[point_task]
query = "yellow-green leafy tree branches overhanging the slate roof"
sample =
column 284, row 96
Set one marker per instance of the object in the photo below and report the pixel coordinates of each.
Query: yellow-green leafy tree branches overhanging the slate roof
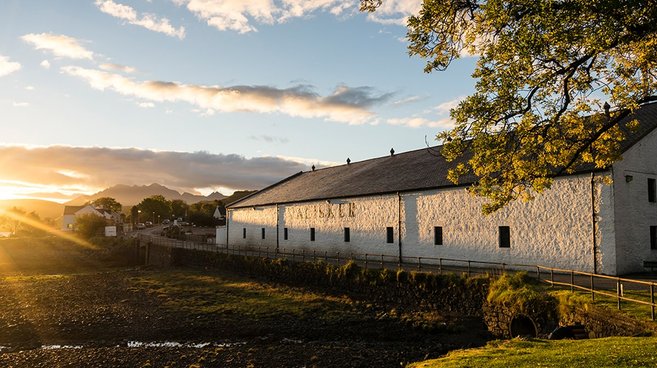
column 554, row 79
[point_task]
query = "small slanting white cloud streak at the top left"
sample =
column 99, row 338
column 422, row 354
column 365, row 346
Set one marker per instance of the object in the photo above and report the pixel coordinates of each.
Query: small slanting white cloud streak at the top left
column 148, row 21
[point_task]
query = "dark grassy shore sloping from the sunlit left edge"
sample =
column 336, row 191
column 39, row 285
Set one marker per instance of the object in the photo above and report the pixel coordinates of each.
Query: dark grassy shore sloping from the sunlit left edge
column 53, row 293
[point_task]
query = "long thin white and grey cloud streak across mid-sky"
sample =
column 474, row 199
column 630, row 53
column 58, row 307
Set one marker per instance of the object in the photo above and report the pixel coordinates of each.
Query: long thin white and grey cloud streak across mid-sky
column 345, row 104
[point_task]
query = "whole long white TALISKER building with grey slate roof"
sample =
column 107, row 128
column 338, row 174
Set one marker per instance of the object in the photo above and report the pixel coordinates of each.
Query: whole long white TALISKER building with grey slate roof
column 403, row 205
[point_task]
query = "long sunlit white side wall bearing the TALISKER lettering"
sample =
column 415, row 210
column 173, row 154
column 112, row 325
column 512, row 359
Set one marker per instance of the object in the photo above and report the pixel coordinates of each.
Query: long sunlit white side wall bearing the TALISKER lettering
column 553, row 230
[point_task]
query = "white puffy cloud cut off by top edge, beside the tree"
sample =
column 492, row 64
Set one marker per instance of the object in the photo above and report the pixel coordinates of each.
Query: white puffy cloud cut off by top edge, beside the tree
column 240, row 15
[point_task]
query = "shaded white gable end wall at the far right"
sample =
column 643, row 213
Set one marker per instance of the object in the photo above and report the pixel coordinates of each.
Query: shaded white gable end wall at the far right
column 634, row 214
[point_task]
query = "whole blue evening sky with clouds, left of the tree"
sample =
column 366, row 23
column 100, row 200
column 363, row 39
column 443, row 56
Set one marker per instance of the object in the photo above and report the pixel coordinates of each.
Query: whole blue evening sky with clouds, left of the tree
column 207, row 95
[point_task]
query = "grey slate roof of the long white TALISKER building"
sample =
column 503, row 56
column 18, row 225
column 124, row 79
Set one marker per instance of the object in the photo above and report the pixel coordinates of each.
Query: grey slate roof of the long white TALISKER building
column 409, row 171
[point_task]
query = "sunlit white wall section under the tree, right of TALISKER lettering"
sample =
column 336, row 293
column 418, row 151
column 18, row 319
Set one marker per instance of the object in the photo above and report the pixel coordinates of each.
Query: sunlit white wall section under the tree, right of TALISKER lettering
column 555, row 229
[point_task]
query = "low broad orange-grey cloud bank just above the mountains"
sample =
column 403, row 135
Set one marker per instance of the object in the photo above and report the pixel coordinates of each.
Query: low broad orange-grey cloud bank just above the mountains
column 77, row 168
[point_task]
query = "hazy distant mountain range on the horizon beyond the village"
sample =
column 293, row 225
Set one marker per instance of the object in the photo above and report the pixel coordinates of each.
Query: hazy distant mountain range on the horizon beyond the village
column 130, row 195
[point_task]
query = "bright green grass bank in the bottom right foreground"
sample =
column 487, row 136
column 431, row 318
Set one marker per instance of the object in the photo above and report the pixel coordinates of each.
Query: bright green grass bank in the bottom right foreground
column 594, row 353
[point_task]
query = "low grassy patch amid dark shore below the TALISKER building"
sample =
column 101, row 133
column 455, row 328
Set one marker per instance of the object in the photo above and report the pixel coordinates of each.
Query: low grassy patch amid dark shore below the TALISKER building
column 198, row 292
